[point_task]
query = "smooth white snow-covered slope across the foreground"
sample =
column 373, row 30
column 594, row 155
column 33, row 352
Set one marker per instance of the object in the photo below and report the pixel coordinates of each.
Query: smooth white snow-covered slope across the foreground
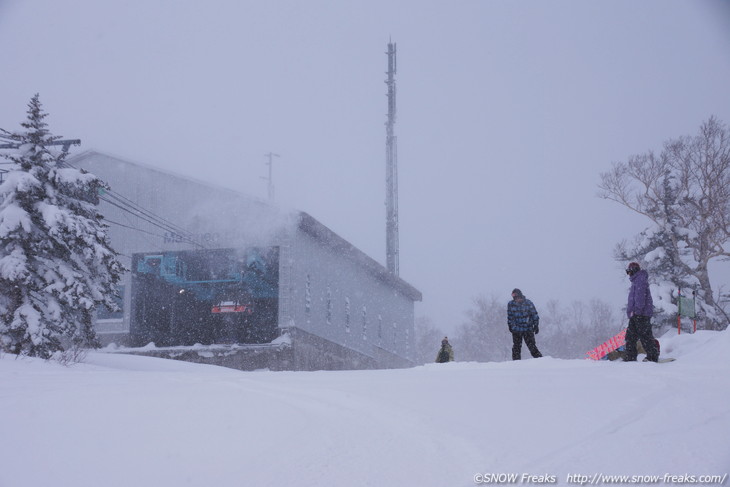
column 119, row 420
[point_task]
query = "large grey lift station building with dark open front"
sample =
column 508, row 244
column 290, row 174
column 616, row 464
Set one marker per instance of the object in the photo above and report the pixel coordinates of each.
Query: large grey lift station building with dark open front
column 220, row 277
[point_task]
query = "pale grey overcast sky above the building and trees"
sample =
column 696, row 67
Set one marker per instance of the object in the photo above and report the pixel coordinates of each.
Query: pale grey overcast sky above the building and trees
column 508, row 111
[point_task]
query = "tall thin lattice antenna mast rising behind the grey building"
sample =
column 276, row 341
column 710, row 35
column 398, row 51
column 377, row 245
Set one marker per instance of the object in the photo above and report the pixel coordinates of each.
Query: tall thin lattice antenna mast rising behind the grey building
column 391, row 171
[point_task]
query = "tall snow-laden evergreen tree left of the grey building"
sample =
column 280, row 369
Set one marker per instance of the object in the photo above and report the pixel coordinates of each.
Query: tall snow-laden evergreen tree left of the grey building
column 56, row 264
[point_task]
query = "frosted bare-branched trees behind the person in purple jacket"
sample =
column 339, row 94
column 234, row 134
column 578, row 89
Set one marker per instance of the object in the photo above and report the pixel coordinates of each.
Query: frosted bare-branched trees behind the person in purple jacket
column 685, row 192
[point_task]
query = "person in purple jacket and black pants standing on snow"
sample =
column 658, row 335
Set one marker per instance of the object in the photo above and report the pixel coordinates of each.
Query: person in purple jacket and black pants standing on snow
column 639, row 309
